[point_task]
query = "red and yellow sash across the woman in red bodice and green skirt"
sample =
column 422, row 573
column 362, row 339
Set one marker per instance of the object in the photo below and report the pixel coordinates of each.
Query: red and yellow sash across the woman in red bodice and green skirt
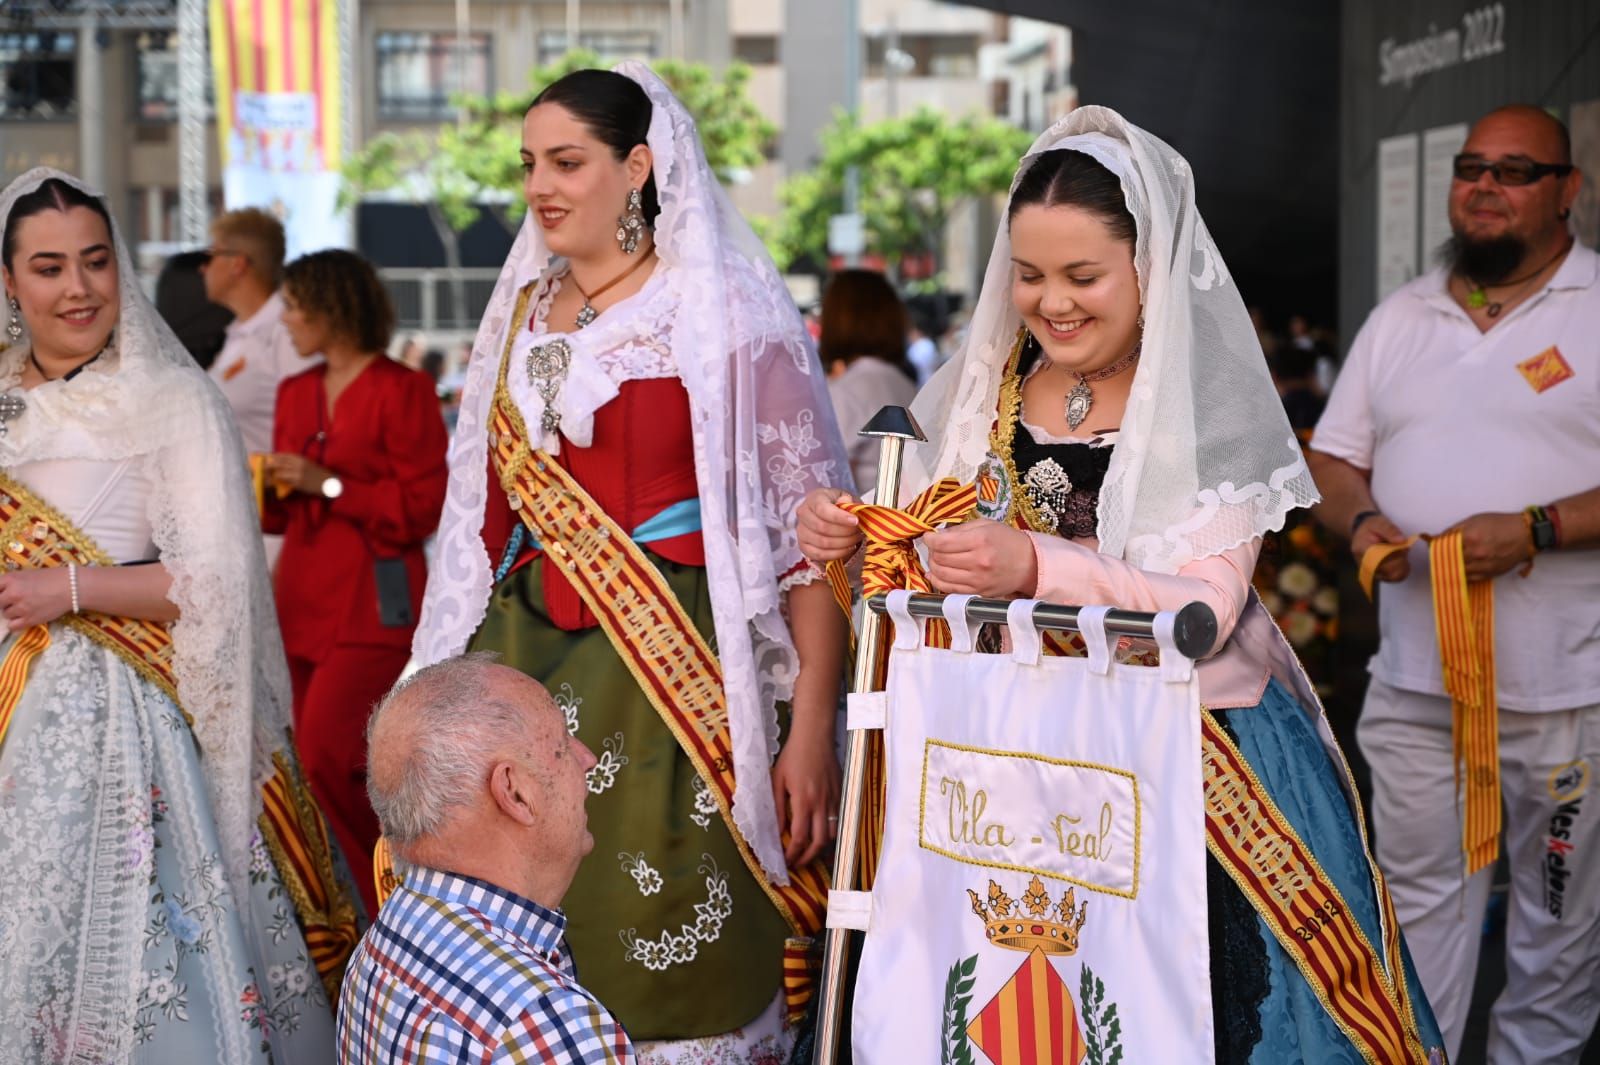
column 654, row 636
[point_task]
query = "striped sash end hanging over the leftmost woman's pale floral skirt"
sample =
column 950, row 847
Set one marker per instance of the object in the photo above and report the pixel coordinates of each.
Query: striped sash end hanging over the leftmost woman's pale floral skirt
column 298, row 840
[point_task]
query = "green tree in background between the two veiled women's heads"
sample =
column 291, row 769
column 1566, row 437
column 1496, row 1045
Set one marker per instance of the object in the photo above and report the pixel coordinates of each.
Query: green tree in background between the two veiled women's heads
column 914, row 172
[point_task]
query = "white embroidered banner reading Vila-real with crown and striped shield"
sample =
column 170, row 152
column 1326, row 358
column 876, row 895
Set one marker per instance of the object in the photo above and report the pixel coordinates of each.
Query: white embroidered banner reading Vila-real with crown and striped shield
column 1042, row 890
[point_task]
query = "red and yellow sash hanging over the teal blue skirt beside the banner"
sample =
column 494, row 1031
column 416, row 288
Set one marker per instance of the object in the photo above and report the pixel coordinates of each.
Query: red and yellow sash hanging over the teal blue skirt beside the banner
column 1247, row 834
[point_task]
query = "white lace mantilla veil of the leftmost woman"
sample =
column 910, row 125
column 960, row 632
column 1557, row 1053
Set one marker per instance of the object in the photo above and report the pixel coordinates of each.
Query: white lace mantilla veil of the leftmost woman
column 148, row 397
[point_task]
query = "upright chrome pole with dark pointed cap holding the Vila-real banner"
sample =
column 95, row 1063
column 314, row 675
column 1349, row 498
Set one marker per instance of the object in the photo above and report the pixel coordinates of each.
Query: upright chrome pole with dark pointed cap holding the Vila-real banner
column 894, row 426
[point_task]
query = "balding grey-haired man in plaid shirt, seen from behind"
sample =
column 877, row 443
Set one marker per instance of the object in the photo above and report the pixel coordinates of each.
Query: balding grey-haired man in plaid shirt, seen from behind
column 481, row 792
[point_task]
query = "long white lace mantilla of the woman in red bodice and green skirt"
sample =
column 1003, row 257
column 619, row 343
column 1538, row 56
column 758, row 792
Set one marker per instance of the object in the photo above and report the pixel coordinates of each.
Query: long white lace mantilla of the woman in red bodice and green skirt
column 764, row 437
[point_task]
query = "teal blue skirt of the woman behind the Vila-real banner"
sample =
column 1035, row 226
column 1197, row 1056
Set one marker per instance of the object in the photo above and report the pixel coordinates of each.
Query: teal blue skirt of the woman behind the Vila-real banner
column 1265, row 1010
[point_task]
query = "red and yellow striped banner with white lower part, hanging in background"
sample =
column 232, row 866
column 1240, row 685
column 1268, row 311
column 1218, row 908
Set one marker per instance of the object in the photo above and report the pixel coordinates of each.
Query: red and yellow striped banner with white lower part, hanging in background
column 281, row 113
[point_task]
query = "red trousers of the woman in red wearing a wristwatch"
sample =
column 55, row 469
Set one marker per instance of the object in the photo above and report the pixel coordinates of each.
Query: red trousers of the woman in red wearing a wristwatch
column 332, row 703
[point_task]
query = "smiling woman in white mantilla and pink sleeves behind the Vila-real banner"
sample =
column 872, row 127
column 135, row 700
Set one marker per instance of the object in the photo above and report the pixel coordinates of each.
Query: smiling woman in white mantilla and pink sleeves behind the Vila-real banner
column 1114, row 412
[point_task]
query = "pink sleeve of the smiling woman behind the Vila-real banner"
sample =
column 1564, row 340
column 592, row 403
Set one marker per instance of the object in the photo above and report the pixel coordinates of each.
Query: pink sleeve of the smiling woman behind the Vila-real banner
column 1073, row 573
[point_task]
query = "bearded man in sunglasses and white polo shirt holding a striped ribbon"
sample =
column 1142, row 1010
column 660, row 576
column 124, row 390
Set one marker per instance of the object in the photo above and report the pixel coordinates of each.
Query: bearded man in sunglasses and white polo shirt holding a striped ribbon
column 1471, row 402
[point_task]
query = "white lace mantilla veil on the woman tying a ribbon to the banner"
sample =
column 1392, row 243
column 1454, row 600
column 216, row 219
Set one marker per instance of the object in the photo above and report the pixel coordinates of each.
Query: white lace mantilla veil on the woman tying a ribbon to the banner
column 1206, row 460
